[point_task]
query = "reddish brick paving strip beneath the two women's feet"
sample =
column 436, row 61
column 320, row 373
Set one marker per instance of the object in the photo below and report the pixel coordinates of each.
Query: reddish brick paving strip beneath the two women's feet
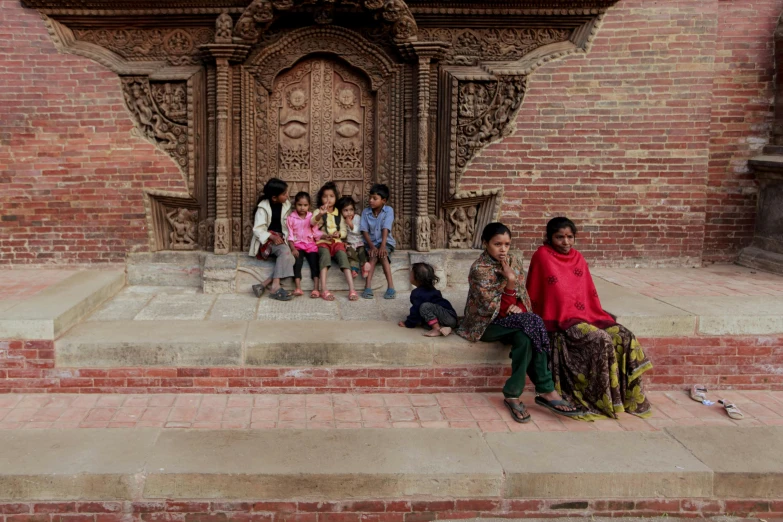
column 324, row 411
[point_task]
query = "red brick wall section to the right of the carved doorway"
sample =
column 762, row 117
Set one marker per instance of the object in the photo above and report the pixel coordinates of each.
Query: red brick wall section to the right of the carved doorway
column 643, row 141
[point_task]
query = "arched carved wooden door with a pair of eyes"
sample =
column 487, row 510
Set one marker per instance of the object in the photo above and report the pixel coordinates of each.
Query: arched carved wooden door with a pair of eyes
column 322, row 115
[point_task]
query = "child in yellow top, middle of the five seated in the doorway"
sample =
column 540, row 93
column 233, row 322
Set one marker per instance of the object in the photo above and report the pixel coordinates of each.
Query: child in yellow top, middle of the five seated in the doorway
column 330, row 245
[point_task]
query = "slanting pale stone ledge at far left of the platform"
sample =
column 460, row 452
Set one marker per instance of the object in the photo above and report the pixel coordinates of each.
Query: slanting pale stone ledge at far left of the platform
column 52, row 311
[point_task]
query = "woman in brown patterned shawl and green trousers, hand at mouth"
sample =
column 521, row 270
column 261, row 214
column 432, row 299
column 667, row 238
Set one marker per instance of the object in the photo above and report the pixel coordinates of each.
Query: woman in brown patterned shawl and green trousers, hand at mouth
column 498, row 309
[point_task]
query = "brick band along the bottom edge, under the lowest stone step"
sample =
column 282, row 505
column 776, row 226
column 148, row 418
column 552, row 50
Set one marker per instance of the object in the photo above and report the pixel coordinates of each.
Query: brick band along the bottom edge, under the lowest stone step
column 383, row 510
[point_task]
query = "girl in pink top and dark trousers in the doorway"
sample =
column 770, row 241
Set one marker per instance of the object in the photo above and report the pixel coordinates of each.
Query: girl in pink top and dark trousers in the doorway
column 302, row 236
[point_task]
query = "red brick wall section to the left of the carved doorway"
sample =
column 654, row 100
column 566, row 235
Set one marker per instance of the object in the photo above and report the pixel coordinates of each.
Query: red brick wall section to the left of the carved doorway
column 71, row 173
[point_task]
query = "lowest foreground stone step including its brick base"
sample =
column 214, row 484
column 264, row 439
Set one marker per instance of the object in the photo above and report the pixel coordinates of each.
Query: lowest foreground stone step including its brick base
column 399, row 474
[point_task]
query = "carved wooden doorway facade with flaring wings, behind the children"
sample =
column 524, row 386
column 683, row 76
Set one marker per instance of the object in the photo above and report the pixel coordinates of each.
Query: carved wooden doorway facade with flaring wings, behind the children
column 351, row 91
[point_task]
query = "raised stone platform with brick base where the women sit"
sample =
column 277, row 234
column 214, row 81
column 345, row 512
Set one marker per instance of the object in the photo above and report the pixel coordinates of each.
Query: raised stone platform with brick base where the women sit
column 721, row 326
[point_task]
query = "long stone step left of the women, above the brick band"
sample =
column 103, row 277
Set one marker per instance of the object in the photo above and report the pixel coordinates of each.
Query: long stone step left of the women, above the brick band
column 112, row 344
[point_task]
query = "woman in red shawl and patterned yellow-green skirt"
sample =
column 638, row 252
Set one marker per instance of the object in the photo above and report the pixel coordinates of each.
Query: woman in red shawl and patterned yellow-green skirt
column 596, row 362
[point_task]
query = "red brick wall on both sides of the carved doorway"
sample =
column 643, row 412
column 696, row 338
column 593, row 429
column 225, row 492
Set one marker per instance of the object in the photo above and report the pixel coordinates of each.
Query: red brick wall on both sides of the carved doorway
column 643, row 141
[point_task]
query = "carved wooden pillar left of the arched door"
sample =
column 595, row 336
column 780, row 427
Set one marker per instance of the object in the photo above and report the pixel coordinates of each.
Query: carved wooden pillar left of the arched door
column 223, row 53
